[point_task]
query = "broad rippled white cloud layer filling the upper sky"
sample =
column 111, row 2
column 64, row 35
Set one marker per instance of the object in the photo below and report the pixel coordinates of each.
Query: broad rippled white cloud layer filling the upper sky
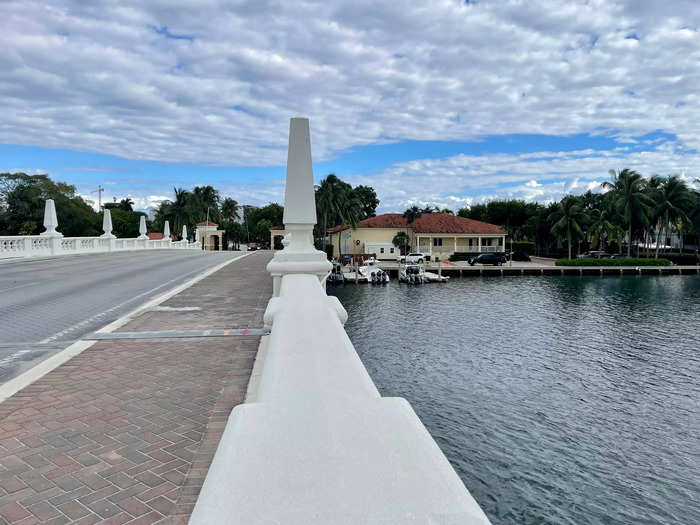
column 215, row 81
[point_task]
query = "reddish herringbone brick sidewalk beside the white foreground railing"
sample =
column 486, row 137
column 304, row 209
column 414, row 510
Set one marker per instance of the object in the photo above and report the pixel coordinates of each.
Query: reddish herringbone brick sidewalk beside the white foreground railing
column 125, row 431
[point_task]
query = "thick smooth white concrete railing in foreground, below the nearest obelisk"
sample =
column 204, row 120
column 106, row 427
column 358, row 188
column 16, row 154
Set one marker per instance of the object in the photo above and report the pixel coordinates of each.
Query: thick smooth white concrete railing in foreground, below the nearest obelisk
column 320, row 445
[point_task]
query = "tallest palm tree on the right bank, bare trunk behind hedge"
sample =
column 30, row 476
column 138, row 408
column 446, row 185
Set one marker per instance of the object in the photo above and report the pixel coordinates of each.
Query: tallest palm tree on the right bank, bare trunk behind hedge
column 631, row 202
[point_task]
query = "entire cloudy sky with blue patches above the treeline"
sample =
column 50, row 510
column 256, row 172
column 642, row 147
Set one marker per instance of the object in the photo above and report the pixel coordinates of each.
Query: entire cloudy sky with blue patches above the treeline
column 429, row 101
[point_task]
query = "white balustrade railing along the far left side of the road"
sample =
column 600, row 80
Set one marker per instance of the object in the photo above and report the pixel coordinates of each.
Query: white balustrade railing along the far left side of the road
column 40, row 245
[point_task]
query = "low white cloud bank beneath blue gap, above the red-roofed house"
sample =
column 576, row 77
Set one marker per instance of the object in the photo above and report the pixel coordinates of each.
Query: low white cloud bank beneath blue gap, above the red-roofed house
column 463, row 179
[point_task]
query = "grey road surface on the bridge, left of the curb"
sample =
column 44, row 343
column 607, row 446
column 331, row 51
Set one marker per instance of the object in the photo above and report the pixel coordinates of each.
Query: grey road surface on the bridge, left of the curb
column 46, row 304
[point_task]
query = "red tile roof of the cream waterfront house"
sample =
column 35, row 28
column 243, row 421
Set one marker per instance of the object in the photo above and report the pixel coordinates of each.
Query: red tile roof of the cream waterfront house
column 429, row 223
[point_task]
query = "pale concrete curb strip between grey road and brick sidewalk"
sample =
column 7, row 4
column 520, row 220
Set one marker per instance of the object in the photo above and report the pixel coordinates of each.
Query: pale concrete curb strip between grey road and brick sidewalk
column 25, row 379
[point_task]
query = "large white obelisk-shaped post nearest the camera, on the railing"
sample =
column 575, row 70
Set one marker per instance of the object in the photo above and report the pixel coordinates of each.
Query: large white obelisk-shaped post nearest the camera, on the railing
column 299, row 256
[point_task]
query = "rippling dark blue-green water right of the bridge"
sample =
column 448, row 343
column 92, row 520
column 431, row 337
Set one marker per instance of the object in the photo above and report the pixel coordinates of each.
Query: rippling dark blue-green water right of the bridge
column 557, row 399
